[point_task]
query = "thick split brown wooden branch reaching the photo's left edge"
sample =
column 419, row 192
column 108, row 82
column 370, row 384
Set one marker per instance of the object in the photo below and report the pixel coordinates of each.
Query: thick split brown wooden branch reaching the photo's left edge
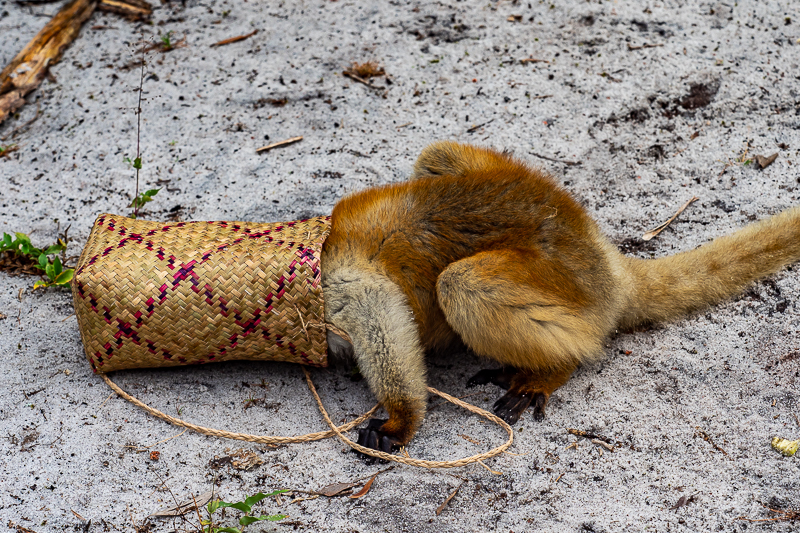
column 29, row 67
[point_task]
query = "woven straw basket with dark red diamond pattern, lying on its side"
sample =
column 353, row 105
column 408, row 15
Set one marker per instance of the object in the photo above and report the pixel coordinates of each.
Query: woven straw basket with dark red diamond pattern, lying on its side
column 151, row 294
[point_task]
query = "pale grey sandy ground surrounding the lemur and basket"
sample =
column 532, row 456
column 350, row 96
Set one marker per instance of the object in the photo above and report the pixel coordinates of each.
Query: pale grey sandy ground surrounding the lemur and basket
column 656, row 102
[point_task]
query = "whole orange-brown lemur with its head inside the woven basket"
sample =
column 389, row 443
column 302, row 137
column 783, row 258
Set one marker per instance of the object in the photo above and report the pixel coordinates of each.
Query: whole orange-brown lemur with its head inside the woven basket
column 480, row 248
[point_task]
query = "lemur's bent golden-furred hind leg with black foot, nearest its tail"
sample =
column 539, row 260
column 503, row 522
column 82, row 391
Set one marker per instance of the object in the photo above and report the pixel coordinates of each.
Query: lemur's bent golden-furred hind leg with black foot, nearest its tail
column 497, row 304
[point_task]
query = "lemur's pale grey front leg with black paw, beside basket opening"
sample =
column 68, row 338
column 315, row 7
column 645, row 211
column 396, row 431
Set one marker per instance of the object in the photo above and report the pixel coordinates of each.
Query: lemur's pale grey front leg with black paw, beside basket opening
column 375, row 313
